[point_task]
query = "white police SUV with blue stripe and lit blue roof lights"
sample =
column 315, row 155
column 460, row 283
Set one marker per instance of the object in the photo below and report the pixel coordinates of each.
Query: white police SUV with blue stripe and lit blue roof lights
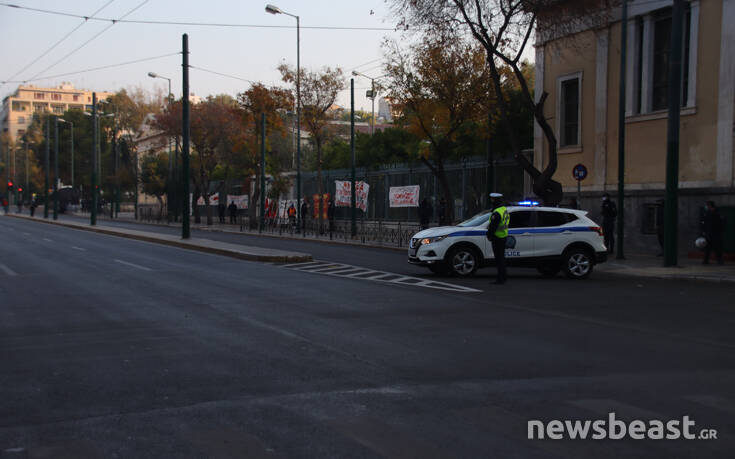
column 550, row 239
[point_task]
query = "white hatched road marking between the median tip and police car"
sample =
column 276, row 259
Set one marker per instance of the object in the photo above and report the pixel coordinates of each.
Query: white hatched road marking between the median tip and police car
column 356, row 272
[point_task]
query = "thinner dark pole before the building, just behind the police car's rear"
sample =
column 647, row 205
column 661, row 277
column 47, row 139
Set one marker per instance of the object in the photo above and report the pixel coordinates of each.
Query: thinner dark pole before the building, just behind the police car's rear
column 621, row 132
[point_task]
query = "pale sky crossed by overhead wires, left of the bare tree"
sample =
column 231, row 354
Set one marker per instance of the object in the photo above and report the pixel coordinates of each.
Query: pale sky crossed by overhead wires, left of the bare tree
column 251, row 53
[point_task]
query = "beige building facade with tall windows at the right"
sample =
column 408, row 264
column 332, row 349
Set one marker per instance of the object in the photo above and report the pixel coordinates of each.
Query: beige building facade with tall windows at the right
column 580, row 71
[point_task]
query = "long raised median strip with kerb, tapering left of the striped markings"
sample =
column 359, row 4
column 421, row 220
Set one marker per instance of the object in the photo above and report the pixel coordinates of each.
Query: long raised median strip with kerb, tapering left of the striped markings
column 232, row 253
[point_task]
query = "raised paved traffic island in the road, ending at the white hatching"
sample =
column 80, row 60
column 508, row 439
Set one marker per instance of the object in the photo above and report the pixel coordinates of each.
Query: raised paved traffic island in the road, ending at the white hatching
column 242, row 252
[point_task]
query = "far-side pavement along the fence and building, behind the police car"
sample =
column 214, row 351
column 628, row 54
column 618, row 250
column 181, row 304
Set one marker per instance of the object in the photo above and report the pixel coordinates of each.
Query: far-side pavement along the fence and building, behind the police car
column 635, row 265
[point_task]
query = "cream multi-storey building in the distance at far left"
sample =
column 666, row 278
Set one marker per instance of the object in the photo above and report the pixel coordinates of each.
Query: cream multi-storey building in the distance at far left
column 18, row 108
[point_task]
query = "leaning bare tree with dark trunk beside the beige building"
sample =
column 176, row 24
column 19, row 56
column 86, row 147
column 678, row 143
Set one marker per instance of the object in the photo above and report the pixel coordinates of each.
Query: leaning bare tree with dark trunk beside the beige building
column 505, row 28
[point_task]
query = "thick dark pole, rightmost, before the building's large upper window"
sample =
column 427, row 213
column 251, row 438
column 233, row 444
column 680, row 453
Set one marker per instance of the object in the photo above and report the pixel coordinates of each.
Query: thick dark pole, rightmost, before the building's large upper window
column 672, row 138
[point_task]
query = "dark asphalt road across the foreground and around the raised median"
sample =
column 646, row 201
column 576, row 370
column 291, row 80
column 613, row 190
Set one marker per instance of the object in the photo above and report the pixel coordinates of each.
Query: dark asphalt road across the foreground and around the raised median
column 117, row 348
